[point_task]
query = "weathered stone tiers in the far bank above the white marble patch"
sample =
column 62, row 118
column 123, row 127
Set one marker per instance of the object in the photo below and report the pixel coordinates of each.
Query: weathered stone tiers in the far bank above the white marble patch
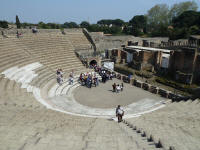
column 53, row 50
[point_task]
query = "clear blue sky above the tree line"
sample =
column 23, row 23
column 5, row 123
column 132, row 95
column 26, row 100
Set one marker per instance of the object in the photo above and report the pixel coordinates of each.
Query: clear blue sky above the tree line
column 60, row 11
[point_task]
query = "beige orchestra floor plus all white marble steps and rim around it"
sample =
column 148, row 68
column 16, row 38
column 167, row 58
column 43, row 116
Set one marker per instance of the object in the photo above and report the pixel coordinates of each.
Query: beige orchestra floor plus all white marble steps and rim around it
column 79, row 100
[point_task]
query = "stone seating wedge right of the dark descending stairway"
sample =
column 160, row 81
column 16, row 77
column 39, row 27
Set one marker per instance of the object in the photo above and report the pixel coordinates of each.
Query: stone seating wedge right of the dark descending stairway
column 176, row 125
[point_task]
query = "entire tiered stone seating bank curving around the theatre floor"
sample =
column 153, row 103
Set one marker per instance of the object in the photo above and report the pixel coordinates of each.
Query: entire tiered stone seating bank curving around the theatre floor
column 27, row 77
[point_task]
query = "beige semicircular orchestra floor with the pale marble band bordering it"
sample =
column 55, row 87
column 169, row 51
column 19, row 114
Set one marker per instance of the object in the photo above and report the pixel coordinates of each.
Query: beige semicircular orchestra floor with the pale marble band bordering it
column 101, row 102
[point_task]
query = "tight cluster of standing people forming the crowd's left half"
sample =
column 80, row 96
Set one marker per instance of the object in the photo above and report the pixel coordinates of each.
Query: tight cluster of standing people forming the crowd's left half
column 89, row 79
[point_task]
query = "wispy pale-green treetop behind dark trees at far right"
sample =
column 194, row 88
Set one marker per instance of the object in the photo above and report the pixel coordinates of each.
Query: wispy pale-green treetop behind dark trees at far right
column 179, row 8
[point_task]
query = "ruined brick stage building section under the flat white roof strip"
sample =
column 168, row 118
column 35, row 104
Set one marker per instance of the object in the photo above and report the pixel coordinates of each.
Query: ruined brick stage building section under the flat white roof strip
column 146, row 58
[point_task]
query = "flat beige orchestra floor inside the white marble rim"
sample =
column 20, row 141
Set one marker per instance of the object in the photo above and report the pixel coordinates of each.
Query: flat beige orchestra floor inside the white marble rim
column 103, row 97
